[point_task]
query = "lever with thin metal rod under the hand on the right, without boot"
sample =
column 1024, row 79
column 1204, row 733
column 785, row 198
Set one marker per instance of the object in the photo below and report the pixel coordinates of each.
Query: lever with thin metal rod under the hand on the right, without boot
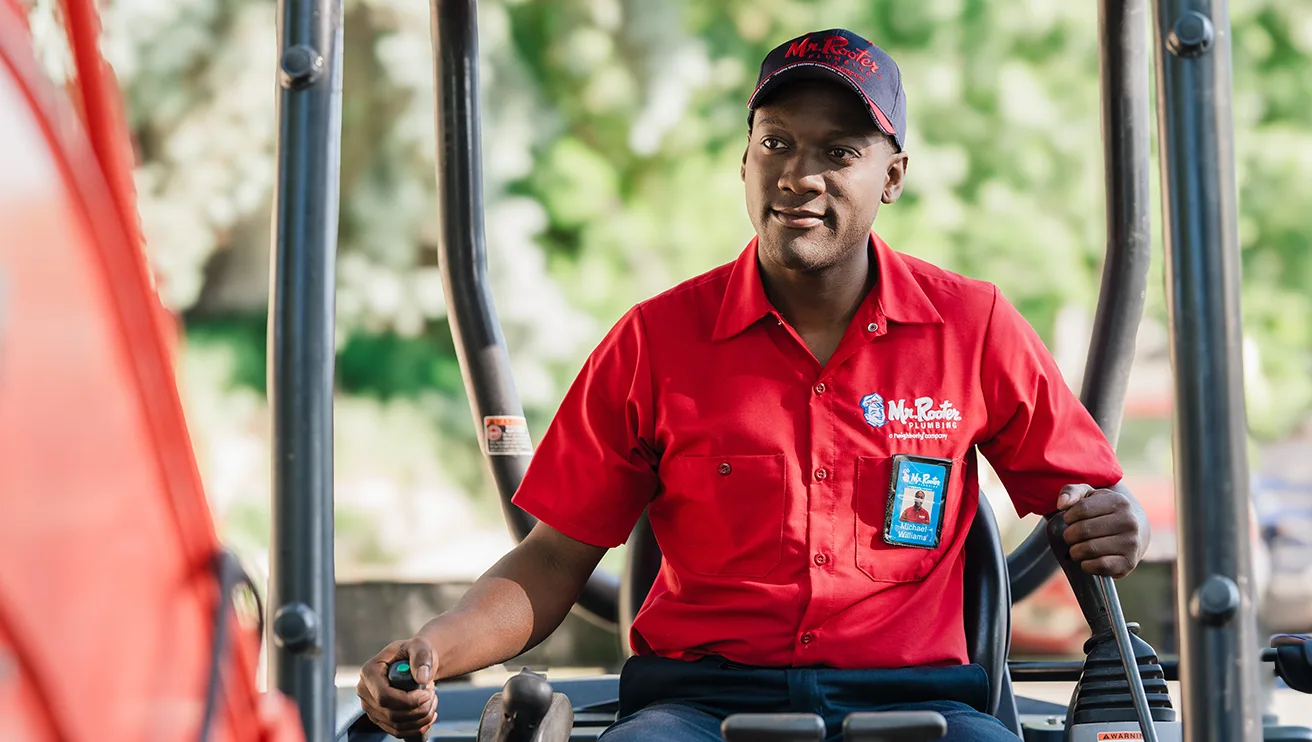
column 1101, row 606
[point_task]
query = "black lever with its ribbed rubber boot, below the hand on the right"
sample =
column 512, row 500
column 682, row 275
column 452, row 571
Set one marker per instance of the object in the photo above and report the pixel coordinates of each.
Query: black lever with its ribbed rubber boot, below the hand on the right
column 1122, row 682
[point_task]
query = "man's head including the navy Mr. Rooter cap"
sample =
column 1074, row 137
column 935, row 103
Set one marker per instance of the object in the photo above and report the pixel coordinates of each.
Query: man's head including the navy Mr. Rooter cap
column 826, row 137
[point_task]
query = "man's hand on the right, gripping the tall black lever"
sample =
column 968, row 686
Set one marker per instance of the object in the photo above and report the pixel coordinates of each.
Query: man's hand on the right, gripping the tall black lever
column 1107, row 529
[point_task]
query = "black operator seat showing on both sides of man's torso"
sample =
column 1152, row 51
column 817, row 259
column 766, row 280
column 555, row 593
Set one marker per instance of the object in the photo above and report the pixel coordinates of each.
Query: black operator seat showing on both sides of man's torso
column 987, row 605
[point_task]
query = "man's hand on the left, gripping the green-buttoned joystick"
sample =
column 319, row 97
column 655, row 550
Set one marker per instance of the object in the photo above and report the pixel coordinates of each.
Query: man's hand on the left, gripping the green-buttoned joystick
column 406, row 715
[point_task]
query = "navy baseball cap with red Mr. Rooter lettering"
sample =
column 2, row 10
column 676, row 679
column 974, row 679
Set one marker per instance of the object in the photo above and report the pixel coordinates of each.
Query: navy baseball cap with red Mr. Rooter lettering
column 839, row 54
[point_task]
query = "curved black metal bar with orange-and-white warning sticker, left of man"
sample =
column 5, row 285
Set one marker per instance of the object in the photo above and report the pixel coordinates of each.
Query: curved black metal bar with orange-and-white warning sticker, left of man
column 462, row 259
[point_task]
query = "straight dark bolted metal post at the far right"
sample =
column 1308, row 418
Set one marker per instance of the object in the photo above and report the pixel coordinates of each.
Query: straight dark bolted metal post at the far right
column 1220, row 661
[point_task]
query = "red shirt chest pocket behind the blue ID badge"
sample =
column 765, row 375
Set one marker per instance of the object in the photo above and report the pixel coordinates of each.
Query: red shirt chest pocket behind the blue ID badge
column 882, row 562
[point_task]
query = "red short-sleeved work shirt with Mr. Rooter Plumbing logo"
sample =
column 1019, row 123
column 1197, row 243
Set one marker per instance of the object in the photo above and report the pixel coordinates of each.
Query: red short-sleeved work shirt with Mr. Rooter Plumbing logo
column 767, row 475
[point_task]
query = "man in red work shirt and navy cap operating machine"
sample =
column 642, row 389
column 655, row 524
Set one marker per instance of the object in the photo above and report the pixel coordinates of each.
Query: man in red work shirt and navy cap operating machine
column 760, row 412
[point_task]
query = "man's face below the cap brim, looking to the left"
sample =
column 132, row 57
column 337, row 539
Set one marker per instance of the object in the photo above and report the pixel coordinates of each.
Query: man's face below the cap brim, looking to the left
column 817, row 171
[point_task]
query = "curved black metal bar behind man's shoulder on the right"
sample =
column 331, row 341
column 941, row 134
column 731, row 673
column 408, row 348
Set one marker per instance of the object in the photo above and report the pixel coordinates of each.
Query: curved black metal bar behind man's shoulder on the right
column 1126, row 133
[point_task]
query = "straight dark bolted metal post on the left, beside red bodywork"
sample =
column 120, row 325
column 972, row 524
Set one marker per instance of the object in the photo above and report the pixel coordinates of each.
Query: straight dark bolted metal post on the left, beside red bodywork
column 301, row 339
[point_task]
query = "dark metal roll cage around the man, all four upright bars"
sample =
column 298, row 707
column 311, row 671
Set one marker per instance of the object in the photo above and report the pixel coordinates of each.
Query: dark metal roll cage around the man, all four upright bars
column 1214, row 580
